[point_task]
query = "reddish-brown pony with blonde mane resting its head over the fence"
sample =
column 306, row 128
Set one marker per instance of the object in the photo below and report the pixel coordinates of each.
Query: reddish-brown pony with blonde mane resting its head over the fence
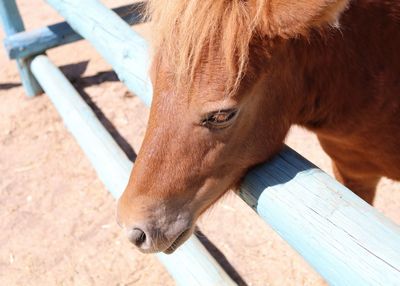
column 231, row 76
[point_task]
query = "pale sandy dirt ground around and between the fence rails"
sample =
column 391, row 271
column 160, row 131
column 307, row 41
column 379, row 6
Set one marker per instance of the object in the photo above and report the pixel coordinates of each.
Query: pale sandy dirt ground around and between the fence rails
column 56, row 218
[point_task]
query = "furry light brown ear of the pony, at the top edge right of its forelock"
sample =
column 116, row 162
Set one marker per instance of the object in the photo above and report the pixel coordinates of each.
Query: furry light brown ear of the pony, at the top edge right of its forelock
column 288, row 18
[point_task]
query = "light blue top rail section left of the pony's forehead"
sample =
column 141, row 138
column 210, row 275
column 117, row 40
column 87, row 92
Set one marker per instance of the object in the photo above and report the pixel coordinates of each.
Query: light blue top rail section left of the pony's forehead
column 118, row 44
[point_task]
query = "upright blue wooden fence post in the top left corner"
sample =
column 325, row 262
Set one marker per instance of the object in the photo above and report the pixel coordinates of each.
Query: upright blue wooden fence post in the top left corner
column 12, row 24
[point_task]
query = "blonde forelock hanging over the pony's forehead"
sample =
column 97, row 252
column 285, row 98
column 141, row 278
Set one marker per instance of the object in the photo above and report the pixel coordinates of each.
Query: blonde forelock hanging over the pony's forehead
column 185, row 31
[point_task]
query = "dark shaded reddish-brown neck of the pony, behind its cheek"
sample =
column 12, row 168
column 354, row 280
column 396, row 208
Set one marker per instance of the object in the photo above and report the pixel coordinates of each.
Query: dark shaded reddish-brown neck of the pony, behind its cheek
column 341, row 78
